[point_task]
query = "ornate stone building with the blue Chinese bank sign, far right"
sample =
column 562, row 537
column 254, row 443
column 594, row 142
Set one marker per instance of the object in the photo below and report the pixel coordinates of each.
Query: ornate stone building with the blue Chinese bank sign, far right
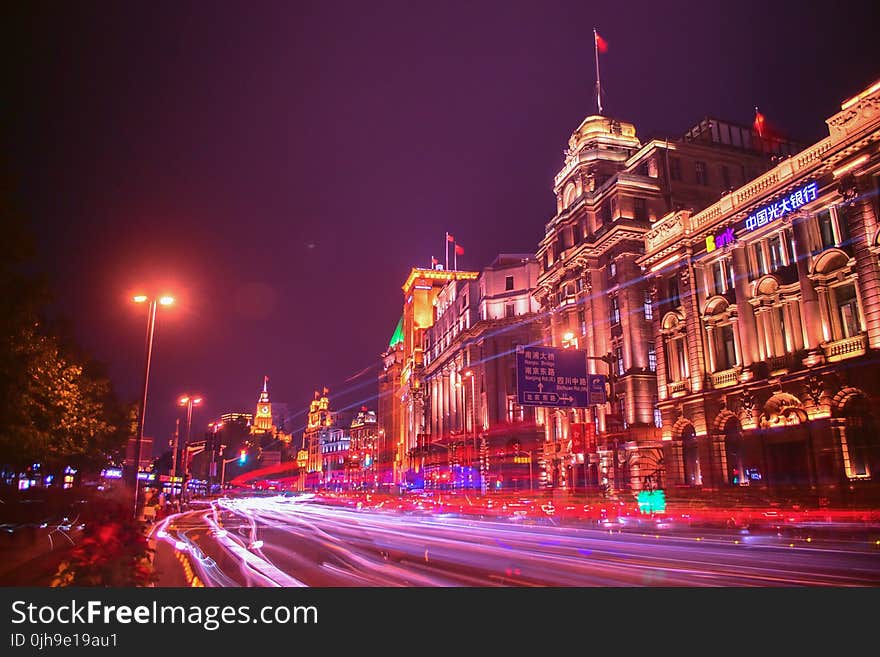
column 767, row 322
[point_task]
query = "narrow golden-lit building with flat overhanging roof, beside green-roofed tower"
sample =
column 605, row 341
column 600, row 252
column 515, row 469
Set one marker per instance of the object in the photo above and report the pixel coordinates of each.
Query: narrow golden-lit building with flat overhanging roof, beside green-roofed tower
column 419, row 292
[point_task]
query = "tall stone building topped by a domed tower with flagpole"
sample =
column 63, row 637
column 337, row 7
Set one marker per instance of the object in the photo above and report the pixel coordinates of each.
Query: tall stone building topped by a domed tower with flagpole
column 610, row 192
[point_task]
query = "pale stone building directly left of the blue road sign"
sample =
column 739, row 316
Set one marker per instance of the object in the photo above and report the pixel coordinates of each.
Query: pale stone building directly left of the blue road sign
column 474, row 425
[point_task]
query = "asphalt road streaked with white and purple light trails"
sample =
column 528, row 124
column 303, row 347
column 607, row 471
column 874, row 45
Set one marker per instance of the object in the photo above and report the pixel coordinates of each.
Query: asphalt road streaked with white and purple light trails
column 291, row 542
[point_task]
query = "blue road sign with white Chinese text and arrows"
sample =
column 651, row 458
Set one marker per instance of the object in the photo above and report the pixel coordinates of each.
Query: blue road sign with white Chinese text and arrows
column 548, row 376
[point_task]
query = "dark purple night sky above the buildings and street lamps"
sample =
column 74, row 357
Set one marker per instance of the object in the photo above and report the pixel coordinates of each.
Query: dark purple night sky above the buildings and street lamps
column 279, row 167
